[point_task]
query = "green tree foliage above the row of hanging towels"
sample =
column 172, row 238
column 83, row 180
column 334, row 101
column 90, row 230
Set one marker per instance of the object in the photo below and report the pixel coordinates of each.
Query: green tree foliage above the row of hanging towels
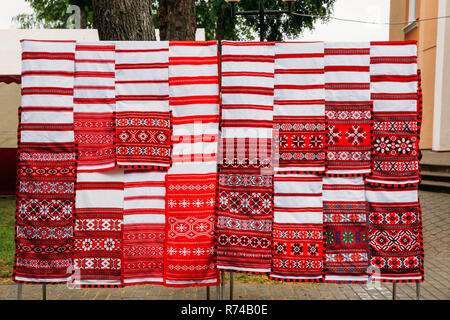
column 213, row 15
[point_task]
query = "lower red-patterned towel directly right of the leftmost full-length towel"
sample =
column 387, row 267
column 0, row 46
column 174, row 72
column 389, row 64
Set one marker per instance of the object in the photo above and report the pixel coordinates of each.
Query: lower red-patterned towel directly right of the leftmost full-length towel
column 98, row 226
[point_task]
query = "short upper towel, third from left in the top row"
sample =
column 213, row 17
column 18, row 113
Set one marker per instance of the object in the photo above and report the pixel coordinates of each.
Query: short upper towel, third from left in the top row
column 143, row 115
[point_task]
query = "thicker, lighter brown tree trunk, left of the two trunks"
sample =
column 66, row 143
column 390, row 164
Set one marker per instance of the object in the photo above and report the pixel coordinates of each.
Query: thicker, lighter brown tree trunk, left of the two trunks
column 124, row 19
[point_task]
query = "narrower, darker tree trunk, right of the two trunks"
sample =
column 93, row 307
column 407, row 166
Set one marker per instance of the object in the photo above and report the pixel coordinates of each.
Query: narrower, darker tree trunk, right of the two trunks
column 176, row 19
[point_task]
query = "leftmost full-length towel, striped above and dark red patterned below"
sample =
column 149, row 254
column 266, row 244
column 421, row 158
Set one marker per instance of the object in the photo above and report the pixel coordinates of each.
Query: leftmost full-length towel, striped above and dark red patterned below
column 46, row 163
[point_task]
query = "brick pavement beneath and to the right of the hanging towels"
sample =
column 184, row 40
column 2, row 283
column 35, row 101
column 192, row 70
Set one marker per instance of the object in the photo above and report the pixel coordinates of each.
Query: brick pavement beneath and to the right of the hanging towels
column 436, row 219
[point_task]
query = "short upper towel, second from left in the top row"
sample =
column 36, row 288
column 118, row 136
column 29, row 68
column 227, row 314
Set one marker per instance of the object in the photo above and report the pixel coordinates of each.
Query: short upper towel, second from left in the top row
column 94, row 105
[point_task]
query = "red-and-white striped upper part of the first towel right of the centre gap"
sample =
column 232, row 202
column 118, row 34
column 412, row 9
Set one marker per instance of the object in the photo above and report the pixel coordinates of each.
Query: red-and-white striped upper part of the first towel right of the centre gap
column 247, row 89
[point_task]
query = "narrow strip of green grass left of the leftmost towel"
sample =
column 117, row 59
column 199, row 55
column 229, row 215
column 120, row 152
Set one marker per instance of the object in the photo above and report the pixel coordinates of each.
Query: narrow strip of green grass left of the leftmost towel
column 7, row 213
